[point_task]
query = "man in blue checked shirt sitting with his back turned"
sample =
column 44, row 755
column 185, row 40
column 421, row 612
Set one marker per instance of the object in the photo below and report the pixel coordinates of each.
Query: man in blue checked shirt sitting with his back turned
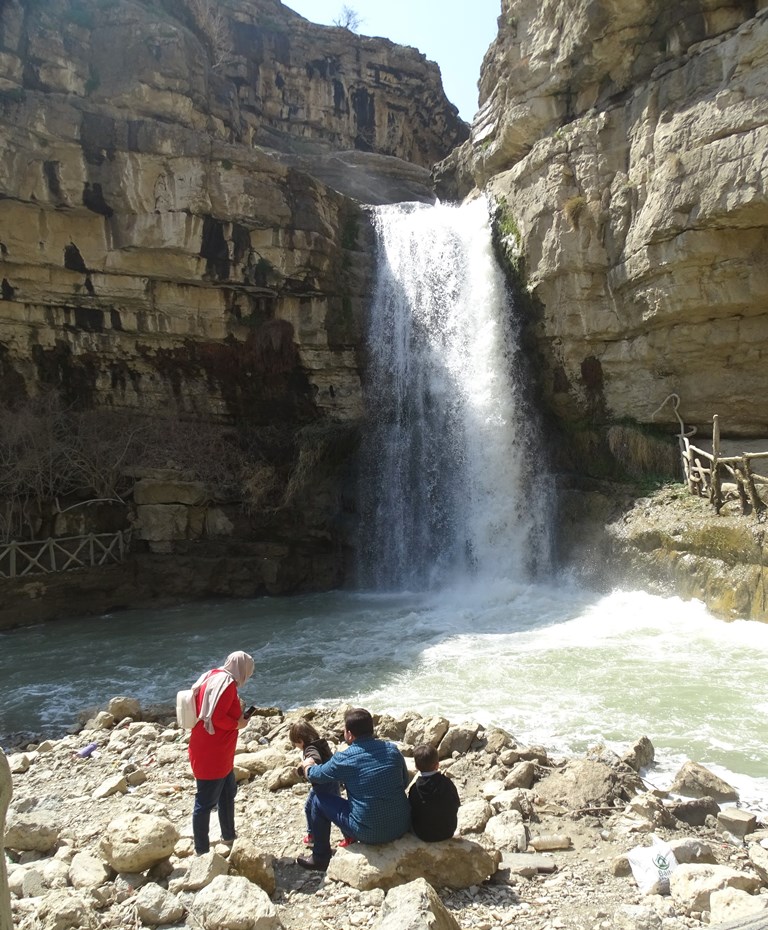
column 374, row 772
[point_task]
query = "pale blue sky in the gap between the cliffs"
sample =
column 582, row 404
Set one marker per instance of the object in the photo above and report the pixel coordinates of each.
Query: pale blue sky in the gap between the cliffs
column 454, row 33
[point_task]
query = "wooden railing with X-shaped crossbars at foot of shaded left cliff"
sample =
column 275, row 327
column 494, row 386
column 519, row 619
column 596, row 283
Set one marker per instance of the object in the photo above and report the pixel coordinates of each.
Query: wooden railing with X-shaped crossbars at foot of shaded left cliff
column 62, row 554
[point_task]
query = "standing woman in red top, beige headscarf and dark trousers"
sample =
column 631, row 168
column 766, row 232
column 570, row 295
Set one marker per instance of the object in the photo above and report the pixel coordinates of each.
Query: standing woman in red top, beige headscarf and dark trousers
column 212, row 746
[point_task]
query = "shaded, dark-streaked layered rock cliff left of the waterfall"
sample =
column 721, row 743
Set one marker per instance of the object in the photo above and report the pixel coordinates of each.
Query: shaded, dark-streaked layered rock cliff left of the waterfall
column 181, row 240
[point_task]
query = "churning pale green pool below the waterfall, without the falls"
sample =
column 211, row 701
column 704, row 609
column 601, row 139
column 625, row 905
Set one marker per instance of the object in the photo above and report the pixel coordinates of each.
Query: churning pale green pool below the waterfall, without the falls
column 556, row 665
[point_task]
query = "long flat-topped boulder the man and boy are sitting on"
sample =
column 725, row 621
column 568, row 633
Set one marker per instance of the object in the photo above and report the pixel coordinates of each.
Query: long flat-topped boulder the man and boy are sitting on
column 454, row 863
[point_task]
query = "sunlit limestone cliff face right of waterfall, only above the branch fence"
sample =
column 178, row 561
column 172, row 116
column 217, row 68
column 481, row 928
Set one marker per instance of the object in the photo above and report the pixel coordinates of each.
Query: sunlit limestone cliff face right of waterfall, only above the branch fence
column 627, row 140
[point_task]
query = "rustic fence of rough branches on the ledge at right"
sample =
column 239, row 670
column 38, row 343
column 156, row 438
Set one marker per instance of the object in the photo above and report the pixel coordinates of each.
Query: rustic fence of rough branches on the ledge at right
column 723, row 478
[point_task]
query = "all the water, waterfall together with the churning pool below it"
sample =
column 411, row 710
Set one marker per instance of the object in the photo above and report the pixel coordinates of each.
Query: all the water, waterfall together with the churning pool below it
column 460, row 611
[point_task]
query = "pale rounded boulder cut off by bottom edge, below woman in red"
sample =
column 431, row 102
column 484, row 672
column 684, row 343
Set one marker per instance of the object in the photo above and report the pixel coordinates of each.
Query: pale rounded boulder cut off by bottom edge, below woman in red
column 231, row 902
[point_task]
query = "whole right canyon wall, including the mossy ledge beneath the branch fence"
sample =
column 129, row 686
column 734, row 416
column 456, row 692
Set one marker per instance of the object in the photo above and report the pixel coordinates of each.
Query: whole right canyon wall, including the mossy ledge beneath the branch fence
column 625, row 145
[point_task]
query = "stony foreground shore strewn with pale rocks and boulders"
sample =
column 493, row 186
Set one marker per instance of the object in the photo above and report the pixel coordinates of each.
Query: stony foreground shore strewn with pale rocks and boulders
column 99, row 836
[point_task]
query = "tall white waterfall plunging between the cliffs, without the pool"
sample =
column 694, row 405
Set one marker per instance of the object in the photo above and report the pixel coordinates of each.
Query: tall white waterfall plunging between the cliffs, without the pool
column 449, row 487
